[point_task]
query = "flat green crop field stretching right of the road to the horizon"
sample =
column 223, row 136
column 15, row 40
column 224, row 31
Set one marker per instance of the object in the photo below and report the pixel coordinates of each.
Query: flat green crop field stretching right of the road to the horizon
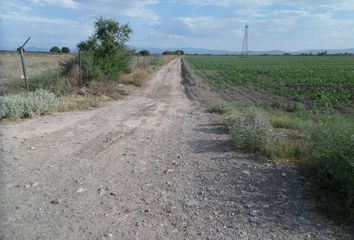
column 325, row 80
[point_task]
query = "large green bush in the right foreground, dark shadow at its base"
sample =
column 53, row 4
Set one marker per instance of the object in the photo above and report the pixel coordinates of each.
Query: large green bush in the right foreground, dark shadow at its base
column 331, row 162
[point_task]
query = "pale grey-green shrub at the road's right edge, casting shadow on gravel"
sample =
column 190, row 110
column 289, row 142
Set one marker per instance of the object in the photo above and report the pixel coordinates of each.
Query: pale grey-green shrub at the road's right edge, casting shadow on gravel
column 251, row 131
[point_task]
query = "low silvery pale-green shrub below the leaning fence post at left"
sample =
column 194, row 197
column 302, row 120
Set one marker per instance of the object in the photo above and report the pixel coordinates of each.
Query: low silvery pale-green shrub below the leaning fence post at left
column 29, row 105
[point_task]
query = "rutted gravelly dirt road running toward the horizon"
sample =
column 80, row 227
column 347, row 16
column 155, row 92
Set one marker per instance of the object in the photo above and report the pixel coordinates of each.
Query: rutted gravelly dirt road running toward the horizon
column 151, row 166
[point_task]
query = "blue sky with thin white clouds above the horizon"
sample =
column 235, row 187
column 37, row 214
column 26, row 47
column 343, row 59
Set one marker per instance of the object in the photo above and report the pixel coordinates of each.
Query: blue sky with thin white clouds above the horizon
column 274, row 24
